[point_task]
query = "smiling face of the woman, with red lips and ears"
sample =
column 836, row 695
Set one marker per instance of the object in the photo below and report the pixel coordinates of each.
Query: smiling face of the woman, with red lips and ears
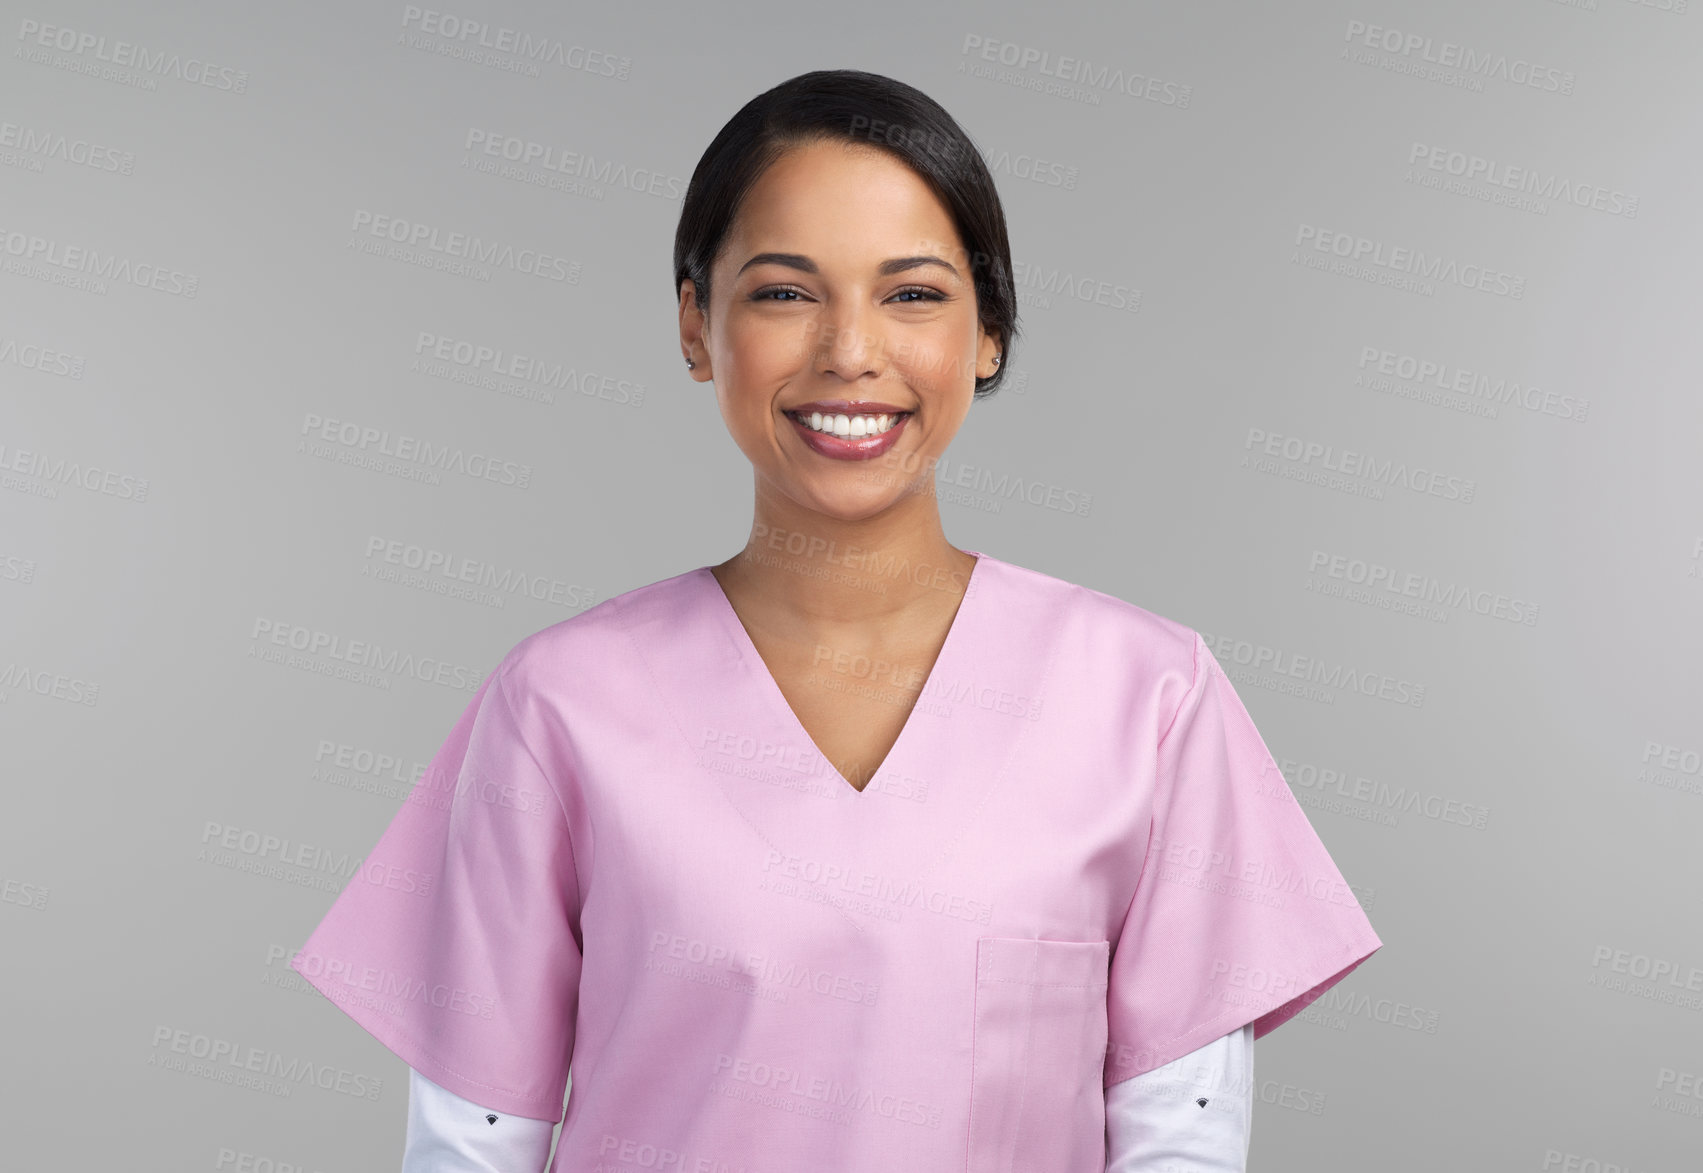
column 844, row 346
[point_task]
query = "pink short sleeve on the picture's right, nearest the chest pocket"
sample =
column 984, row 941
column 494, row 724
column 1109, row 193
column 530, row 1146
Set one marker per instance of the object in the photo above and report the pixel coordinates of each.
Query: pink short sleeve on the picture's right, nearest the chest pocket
column 1239, row 913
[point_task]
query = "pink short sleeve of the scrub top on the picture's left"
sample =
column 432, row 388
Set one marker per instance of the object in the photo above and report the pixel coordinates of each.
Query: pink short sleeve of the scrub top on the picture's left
column 457, row 941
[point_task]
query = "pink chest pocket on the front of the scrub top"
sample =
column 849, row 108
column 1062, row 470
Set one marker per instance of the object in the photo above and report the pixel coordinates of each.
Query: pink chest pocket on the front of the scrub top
column 1038, row 1097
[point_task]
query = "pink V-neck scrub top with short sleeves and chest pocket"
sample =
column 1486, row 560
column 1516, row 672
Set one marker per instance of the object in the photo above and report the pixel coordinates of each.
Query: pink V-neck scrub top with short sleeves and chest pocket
column 1077, row 864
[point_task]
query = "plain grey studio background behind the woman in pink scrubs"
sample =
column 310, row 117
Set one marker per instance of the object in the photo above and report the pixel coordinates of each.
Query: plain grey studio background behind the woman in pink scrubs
column 1358, row 336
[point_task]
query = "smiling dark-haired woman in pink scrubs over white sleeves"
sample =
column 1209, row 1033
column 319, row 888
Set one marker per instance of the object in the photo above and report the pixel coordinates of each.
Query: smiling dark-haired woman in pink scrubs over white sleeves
column 856, row 850
